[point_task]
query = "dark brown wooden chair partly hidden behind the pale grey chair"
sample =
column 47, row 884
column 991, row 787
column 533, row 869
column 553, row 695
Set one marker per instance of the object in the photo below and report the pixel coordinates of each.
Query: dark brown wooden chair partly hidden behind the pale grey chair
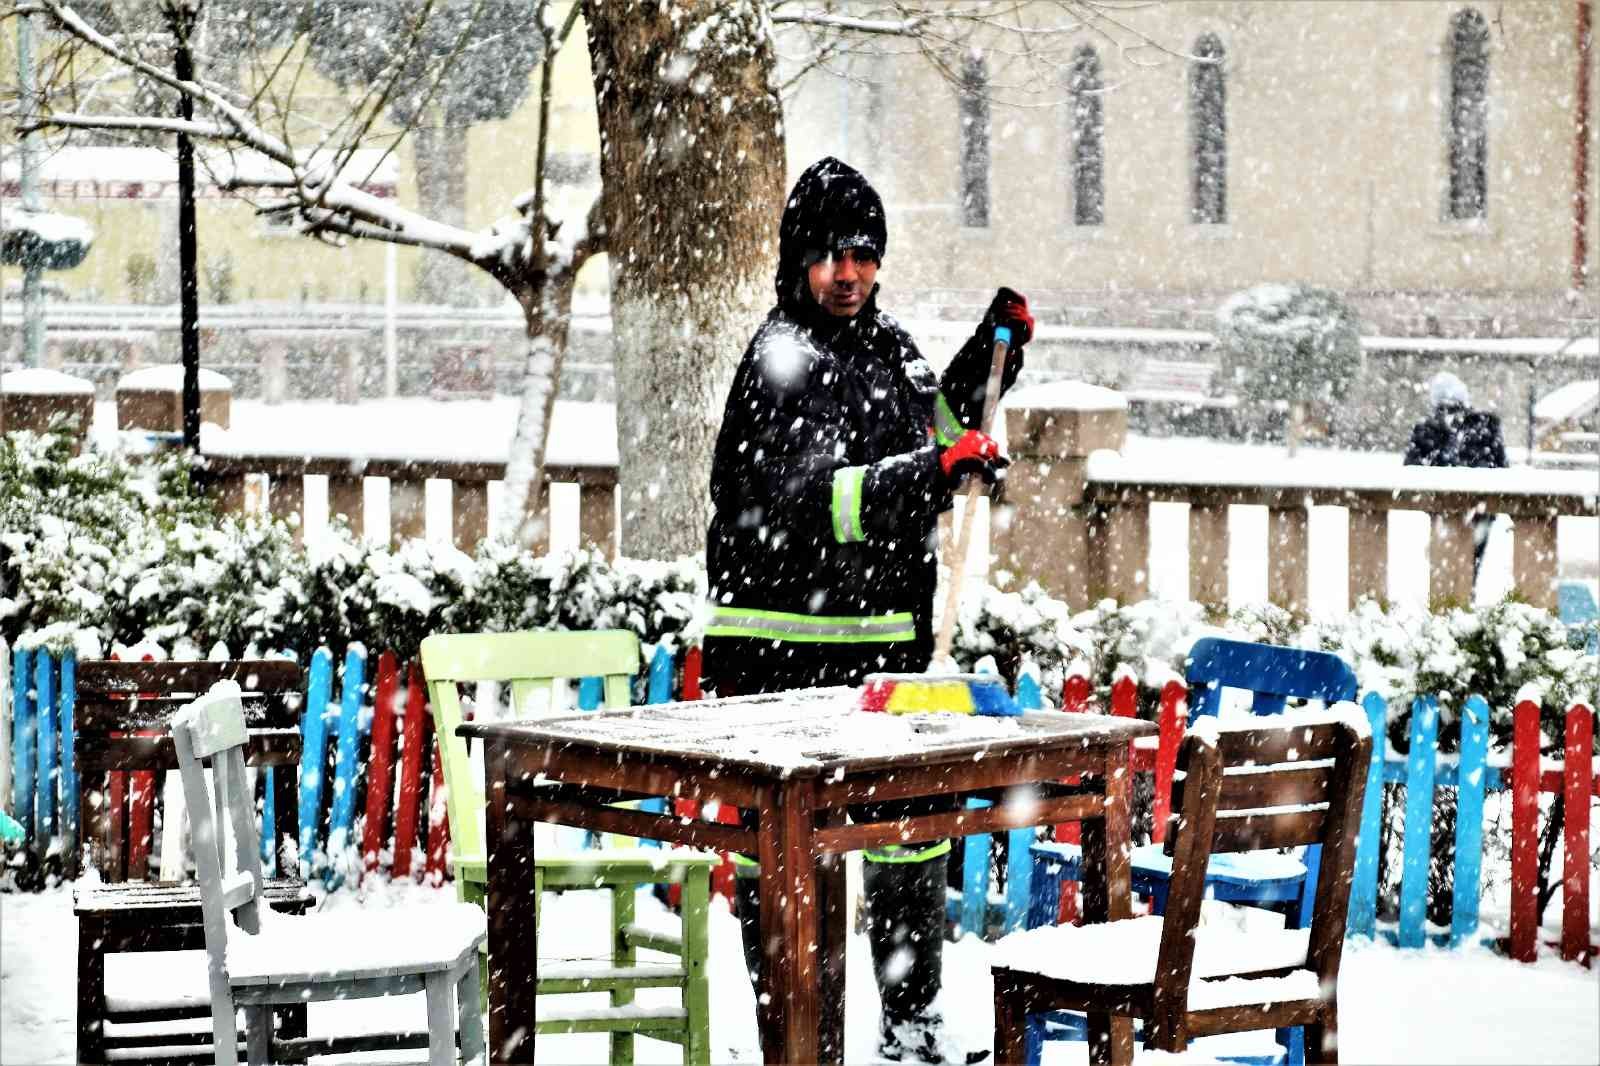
column 122, row 718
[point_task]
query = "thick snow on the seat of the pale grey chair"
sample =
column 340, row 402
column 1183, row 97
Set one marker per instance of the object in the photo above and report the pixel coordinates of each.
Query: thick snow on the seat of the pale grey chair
column 353, row 940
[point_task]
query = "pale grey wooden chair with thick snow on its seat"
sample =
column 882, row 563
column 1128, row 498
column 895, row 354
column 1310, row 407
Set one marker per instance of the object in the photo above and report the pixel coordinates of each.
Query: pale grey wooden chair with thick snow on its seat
column 262, row 960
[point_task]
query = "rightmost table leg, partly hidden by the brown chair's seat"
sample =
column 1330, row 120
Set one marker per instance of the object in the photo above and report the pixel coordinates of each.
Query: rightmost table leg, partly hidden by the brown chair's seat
column 1108, row 891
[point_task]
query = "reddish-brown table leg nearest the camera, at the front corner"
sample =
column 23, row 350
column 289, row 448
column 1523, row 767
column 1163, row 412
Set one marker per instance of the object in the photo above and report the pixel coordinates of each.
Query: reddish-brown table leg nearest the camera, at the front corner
column 790, row 926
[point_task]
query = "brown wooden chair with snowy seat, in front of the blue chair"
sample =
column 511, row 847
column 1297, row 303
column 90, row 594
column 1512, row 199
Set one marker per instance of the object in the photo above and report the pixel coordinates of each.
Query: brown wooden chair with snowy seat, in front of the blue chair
column 1298, row 780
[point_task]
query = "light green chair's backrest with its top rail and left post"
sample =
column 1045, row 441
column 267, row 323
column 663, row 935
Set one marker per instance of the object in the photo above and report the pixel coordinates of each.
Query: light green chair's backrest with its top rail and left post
column 530, row 662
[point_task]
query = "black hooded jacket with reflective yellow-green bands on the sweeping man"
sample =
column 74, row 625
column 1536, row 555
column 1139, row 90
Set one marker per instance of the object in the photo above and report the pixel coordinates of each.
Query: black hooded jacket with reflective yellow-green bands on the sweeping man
column 826, row 484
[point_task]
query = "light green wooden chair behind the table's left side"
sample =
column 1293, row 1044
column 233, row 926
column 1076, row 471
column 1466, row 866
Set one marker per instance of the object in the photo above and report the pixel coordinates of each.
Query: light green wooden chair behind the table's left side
column 532, row 665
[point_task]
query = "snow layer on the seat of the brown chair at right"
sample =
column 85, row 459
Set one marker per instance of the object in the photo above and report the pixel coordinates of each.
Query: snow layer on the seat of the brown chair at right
column 1126, row 952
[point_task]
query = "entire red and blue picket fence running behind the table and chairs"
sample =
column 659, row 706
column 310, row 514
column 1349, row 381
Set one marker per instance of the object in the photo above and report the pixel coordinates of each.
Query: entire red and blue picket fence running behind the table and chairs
column 372, row 793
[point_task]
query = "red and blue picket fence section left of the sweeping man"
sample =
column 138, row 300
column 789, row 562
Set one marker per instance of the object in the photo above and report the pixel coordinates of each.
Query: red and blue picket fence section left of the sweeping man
column 372, row 793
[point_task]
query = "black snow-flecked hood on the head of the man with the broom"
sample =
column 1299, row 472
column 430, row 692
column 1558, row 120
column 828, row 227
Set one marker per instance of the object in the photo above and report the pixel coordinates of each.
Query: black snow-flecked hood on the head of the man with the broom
column 833, row 206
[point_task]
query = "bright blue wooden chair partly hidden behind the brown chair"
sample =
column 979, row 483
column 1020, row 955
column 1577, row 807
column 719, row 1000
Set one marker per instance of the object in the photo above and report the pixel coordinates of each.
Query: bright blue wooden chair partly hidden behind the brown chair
column 1265, row 880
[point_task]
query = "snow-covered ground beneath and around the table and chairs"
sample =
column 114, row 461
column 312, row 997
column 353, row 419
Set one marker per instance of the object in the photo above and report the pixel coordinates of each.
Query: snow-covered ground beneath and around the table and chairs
column 1431, row 1006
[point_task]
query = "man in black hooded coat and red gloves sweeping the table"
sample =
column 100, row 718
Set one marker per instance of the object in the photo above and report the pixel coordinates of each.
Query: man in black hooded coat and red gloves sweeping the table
column 838, row 452
